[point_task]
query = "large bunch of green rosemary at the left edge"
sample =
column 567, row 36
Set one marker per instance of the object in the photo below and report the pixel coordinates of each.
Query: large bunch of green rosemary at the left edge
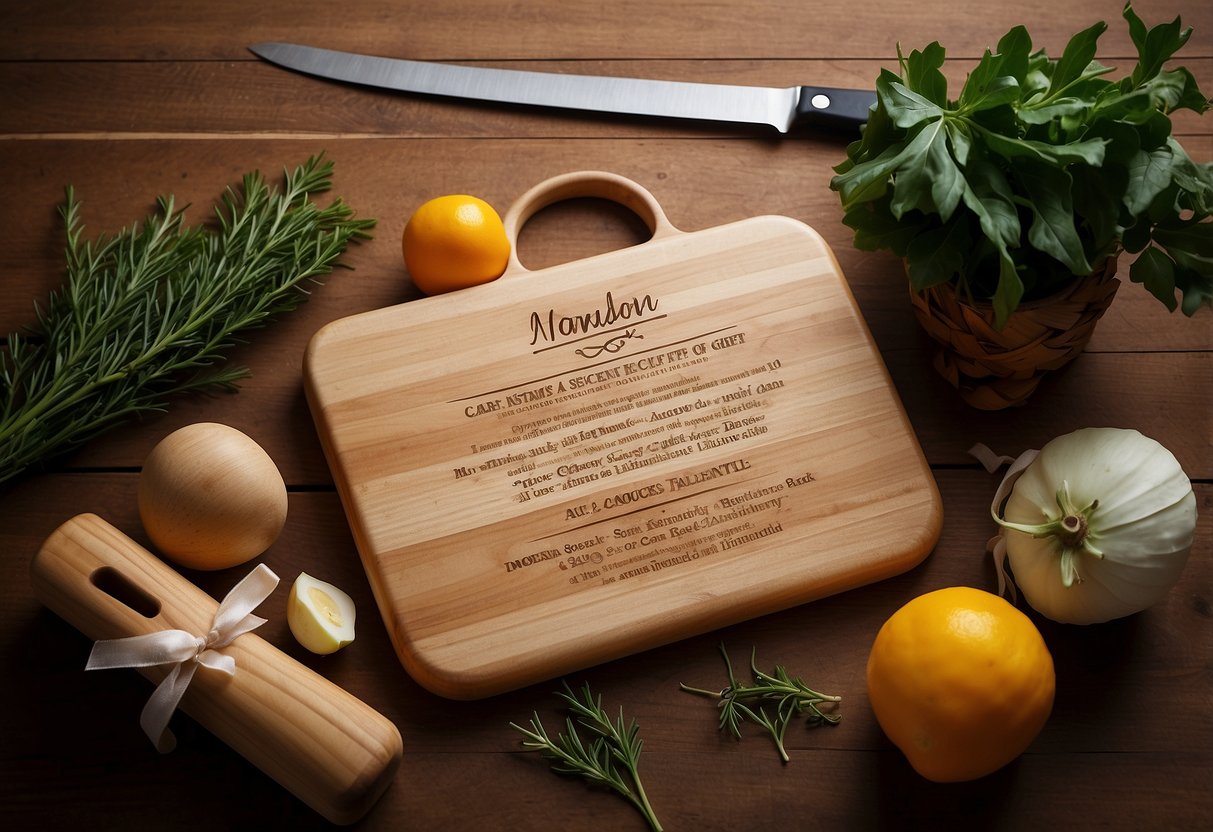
column 150, row 312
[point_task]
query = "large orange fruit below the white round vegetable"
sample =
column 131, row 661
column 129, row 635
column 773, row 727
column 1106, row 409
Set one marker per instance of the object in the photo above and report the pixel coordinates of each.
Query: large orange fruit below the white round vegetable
column 961, row 682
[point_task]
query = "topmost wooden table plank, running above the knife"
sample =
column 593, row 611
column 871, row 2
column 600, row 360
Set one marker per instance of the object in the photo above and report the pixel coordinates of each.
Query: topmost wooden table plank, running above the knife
column 485, row 30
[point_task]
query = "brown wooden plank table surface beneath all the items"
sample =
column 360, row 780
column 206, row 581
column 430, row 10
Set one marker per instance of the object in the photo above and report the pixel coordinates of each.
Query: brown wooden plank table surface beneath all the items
column 128, row 100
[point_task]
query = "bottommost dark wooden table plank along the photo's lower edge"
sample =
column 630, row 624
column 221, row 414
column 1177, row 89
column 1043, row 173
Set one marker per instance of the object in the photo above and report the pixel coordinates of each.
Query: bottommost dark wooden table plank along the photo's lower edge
column 838, row 791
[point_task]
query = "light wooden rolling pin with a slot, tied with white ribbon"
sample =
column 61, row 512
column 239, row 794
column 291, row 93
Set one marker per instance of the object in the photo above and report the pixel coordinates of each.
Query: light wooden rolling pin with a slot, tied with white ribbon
column 326, row 746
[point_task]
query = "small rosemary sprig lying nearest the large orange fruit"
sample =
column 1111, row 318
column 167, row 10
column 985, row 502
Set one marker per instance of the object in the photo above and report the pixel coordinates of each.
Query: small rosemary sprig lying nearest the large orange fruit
column 789, row 698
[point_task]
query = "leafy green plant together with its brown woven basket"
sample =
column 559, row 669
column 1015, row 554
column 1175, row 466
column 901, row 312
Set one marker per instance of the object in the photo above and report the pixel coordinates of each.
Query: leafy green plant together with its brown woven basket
column 1012, row 203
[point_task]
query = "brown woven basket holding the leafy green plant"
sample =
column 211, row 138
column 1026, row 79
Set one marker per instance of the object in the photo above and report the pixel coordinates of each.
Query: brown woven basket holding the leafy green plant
column 995, row 369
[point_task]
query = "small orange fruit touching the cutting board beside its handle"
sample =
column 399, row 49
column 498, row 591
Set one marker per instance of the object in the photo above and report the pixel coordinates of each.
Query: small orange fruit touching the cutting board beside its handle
column 453, row 243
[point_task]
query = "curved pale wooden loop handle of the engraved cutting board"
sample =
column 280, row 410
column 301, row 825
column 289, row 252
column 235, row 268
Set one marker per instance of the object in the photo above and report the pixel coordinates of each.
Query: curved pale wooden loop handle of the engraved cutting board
column 602, row 185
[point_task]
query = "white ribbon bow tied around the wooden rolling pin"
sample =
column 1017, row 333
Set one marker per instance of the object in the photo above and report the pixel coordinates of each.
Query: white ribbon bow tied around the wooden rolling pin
column 186, row 652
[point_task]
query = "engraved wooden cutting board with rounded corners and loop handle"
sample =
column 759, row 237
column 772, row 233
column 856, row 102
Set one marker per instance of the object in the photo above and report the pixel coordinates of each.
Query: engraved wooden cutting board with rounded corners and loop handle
column 571, row 465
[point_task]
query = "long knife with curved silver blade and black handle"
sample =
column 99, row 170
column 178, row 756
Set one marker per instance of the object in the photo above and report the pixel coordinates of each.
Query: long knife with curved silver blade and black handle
column 778, row 107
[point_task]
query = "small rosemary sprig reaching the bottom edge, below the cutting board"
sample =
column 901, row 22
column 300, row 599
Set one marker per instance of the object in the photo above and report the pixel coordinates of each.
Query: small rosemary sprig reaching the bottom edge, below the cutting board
column 614, row 744
